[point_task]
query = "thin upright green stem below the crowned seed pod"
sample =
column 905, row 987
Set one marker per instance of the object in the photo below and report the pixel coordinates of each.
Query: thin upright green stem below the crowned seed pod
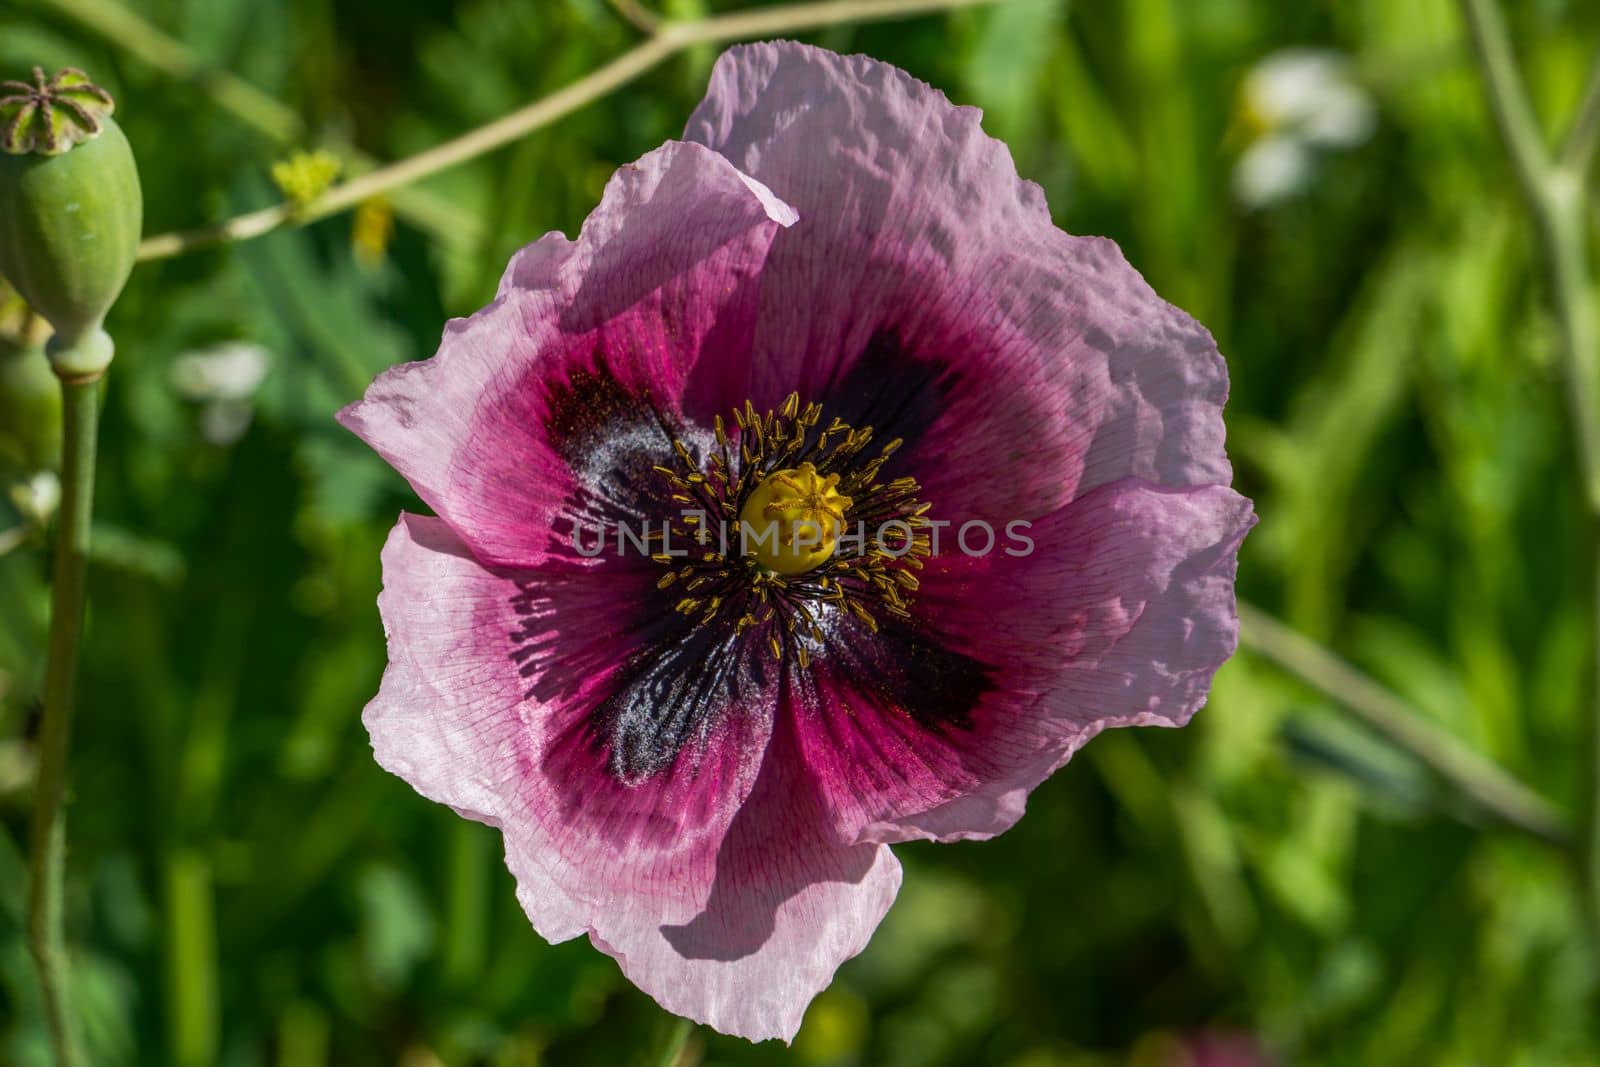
column 47, row 857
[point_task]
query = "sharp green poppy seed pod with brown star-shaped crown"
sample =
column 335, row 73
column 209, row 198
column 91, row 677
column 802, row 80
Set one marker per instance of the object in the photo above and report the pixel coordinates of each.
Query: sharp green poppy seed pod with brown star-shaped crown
column 70, row 210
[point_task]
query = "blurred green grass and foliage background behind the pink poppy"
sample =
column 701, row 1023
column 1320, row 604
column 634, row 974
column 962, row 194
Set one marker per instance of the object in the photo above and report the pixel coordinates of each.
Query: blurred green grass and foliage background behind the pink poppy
column 249, row 889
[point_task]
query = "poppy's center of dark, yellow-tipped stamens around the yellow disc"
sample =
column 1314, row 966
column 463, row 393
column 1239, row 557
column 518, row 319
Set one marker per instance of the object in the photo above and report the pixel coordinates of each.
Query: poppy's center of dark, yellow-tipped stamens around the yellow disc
column 791, row 526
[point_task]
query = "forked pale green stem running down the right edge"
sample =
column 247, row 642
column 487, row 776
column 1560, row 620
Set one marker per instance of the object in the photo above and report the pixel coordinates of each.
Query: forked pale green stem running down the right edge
column 1553, row 185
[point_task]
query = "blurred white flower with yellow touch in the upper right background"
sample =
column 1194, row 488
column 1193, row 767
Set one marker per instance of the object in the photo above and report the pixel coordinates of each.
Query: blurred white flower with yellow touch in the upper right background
column 1297, row 103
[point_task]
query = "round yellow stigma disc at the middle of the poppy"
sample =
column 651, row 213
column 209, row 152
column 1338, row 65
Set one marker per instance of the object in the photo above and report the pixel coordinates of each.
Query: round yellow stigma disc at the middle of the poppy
column 793, row 521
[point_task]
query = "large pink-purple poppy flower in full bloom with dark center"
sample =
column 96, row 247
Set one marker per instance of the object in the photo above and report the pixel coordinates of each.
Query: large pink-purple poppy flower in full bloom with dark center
column 833, row 306
